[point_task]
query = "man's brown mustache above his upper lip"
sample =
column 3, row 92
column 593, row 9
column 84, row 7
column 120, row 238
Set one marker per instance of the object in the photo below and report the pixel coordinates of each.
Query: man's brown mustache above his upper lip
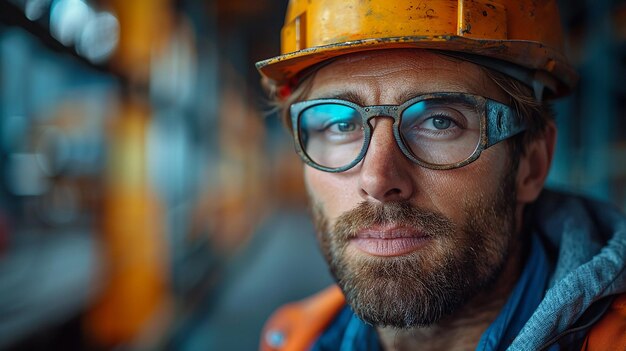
column 368, row 214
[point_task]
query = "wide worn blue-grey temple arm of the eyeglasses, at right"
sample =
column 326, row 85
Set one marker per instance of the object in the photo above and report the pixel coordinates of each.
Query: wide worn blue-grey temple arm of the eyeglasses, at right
column 502, row 123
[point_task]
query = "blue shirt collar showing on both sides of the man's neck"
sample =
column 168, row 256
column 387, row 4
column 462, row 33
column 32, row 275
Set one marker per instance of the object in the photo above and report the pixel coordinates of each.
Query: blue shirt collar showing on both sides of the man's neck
column 349, row 333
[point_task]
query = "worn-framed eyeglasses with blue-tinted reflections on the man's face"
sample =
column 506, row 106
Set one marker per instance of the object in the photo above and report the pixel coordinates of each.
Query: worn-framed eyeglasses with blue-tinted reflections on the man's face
column 437, row 131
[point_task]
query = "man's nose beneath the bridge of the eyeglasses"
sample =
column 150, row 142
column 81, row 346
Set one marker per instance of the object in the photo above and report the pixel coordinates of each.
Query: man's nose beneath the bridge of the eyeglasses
column 385, row 173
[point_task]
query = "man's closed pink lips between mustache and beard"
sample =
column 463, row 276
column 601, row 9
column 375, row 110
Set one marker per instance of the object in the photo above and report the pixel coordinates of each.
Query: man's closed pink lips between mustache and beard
column 389, row 241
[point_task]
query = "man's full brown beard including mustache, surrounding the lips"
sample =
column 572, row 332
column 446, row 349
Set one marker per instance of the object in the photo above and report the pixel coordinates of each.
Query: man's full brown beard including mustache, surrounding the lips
column 458, row 261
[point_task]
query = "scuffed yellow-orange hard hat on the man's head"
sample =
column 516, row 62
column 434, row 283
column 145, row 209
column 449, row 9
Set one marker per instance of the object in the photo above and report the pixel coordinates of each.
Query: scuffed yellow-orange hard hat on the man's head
column 519, row 36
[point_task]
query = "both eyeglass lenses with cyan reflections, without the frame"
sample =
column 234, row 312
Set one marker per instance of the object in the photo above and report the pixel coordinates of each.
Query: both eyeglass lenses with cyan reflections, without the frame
column 438, row 131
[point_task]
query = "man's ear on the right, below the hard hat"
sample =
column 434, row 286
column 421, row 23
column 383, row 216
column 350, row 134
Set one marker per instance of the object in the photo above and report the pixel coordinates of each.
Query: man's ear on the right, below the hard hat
column 534, row 165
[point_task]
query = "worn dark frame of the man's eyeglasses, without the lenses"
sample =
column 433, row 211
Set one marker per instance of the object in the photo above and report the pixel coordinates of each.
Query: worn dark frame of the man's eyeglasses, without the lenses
column 498, row 122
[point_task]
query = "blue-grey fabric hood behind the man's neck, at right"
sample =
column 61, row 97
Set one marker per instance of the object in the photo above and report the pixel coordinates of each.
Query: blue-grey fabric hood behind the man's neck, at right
column 586, row 240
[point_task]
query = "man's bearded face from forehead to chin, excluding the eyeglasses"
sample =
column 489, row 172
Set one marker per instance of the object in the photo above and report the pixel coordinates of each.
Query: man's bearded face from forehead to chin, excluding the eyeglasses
column 407, row 244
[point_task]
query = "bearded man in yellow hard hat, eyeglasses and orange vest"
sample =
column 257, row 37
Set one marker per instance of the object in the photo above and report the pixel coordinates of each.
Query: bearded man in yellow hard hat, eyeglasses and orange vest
column 427, row 138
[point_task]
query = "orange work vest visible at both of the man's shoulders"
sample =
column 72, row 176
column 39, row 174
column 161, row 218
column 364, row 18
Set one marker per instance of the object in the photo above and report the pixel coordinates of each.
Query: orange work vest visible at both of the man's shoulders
column 296, row 326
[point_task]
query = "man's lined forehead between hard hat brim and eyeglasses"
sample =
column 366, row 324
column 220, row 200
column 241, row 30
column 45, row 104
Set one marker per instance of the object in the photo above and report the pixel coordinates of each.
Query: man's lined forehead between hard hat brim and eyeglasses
column 393, row 76
